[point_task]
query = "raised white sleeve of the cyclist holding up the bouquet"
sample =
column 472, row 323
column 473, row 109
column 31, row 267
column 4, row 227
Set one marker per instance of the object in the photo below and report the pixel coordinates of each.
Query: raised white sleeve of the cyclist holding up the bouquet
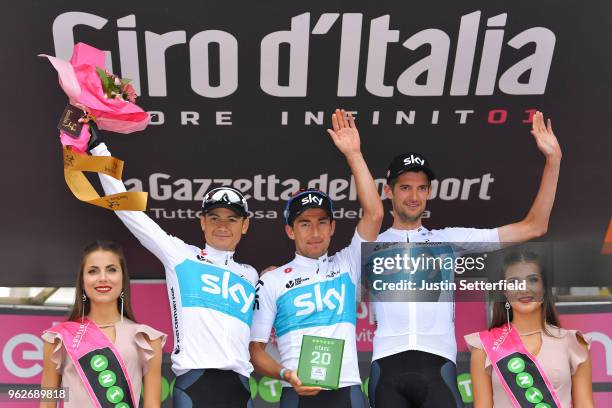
column 164, row 246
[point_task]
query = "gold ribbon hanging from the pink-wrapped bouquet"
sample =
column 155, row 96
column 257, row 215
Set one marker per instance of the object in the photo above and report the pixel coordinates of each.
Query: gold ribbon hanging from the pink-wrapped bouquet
column 74, row 166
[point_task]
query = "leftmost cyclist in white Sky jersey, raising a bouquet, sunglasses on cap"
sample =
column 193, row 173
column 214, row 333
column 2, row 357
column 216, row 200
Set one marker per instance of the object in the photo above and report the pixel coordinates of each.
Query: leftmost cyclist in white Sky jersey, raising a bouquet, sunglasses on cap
column 211, row 298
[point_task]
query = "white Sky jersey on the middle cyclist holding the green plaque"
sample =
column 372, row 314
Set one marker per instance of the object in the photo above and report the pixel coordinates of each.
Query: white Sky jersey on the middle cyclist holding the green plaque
column 315, row 297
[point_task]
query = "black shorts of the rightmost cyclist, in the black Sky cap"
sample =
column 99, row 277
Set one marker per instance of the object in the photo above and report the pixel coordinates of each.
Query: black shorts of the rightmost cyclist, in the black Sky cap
column 414, row 379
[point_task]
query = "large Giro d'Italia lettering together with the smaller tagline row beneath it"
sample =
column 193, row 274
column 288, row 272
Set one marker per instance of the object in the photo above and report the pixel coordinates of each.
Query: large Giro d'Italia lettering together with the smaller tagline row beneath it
column 464, row 60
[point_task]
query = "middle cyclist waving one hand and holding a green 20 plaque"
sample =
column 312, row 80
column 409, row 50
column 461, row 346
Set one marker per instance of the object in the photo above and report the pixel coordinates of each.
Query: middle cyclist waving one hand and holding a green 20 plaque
column 283, row 292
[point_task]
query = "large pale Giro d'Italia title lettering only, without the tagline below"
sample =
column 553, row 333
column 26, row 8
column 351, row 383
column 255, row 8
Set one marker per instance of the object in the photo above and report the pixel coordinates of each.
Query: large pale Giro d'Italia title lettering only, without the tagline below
column 297, row 32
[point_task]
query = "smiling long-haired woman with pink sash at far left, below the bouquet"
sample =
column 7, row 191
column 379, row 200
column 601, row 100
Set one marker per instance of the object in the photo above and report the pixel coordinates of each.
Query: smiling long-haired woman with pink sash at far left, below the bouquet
column 98, row 354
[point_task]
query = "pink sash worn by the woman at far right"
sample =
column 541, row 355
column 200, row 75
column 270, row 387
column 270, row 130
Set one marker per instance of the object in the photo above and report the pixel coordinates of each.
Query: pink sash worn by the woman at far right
column 520, row 373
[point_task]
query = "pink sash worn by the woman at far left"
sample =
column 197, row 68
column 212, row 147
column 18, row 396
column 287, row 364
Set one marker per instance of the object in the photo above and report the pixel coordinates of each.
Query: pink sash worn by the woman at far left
column 98, row 364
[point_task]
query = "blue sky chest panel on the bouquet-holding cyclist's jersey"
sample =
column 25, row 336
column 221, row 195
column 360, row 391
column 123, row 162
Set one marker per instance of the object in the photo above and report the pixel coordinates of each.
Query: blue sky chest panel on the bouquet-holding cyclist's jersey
column 211, row 287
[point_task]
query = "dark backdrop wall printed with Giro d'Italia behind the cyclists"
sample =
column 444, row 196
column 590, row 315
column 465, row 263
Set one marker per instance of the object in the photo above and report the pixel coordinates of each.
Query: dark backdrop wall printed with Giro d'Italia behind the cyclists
column 240, row 93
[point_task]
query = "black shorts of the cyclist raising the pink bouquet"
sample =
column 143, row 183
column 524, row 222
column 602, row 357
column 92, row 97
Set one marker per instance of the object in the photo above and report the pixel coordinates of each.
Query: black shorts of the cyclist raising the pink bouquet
column 211, row 388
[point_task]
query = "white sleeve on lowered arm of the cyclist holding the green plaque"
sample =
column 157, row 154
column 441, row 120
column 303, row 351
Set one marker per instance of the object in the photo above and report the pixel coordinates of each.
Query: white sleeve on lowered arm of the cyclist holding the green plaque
column 264, row 312
